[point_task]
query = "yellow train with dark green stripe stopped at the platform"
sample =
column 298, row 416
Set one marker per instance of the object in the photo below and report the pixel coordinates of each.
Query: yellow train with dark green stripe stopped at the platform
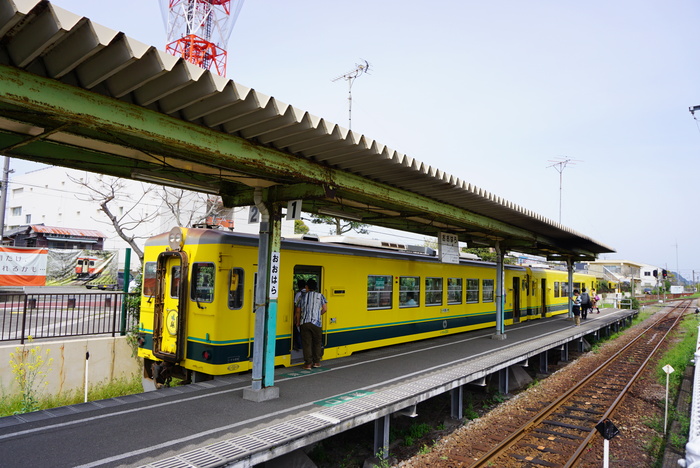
column 198, row 298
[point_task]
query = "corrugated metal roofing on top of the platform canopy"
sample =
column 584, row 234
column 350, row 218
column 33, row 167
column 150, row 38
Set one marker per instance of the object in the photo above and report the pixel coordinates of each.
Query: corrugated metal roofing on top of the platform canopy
column 46, row 40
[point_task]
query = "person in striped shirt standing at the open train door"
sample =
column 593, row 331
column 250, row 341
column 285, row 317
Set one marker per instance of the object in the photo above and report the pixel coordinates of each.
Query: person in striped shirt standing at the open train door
column 312, row 305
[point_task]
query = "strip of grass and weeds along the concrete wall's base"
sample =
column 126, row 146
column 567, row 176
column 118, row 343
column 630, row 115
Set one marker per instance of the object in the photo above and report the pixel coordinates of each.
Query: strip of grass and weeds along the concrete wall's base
column 12, row 404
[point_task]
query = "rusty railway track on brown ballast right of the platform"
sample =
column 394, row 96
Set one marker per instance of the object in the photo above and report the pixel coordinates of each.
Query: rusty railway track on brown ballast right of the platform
column 556, row 435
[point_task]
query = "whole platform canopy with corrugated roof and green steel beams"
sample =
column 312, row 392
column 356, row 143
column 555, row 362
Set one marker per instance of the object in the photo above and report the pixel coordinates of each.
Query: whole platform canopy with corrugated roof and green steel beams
column 76, row 94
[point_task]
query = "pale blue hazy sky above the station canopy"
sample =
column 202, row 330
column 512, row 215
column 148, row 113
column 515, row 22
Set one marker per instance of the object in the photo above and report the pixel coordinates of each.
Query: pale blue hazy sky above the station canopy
column 496, row 93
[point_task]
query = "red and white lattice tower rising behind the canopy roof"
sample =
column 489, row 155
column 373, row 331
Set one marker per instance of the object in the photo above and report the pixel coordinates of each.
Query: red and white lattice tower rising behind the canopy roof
column 198, row 30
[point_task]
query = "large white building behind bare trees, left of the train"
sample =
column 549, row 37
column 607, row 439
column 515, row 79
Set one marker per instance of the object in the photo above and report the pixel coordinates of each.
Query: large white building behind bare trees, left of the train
column 54, row 196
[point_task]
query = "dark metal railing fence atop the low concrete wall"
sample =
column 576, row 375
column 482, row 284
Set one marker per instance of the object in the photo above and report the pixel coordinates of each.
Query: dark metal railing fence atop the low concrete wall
column 25, row 315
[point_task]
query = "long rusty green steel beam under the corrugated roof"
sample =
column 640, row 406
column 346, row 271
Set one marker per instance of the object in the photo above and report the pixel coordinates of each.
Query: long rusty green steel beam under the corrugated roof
column 50, row 103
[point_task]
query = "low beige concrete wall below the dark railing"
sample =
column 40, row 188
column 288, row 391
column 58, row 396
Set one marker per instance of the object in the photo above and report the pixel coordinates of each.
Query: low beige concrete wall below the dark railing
column 110, row 358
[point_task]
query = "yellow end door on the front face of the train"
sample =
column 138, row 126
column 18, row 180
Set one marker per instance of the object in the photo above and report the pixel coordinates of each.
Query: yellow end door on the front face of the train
column 169, row 308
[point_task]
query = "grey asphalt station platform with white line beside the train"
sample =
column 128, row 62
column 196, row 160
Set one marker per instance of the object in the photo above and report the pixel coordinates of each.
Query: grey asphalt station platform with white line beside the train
column 211, row 424
